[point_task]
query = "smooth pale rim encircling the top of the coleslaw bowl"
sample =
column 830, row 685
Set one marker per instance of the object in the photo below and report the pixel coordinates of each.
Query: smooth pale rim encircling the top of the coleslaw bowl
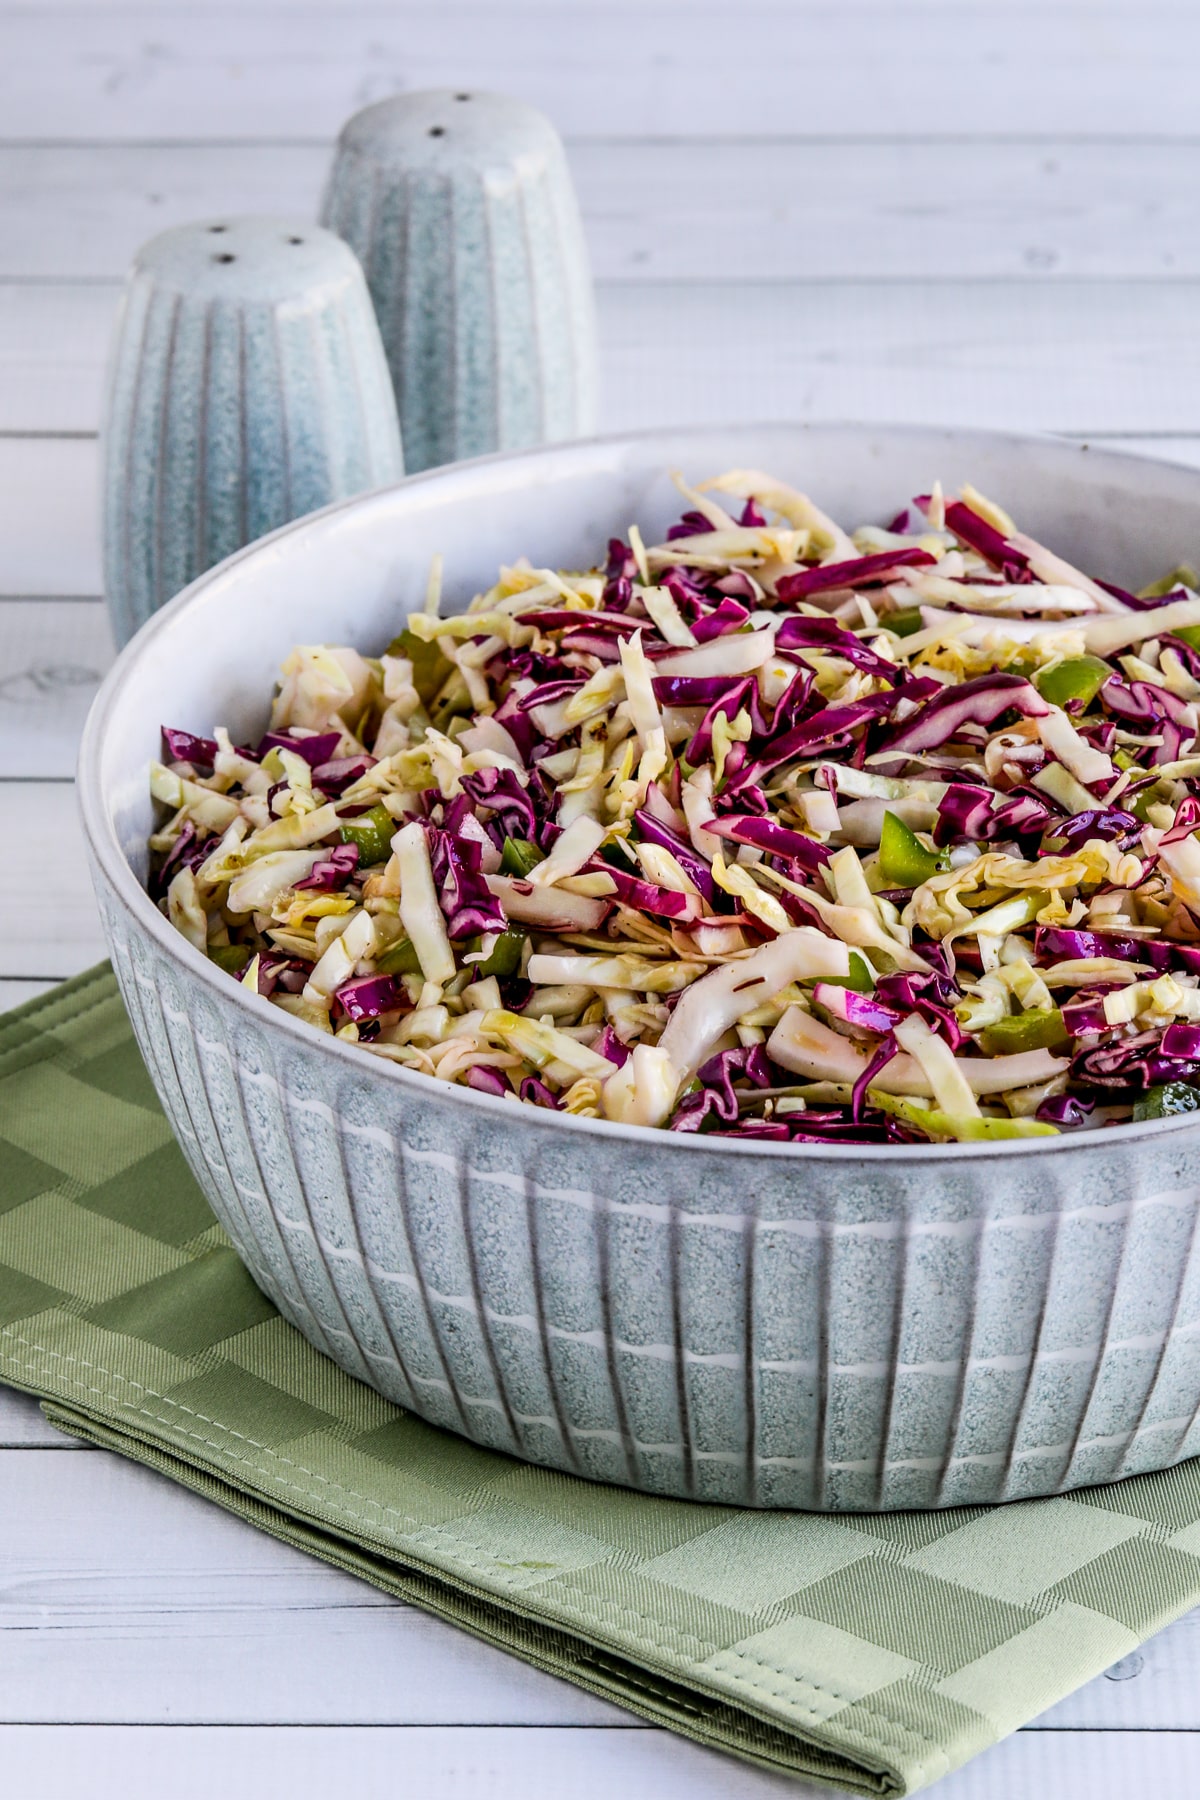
column 112, row 861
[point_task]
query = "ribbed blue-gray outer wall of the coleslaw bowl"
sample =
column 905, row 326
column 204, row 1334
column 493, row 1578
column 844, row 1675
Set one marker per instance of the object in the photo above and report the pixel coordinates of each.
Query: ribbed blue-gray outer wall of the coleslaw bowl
column 744, row 1329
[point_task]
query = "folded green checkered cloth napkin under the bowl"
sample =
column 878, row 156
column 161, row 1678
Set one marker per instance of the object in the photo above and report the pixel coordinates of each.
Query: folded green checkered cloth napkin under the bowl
column 872, row 1653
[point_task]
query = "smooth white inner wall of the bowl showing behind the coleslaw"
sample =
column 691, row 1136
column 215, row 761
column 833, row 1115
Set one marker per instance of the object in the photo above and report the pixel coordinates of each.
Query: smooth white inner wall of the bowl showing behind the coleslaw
column 354, row 571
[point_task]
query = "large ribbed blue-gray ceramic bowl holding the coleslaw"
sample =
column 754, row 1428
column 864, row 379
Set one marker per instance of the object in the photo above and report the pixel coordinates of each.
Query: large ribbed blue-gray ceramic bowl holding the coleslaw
column 771, row 1326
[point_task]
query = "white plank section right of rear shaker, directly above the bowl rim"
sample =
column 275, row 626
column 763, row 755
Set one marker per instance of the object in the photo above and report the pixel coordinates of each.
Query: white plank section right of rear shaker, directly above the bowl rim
column 1028, row 357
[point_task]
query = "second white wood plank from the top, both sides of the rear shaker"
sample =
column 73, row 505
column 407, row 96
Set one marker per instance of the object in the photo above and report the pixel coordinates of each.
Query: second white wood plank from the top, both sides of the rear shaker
column 683, row 211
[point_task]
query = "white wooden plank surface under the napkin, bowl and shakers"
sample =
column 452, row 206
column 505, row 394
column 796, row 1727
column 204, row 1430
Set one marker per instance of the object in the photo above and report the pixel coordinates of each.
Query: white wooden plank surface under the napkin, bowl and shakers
column 935, row 210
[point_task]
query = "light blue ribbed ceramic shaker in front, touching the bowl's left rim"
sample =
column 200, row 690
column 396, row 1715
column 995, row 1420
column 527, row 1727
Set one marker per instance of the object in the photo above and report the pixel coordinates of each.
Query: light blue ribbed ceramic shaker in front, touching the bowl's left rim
column 247, row 386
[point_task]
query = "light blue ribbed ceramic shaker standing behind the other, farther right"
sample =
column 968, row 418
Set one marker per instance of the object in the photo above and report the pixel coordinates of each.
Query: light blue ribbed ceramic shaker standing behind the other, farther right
column 465, row 219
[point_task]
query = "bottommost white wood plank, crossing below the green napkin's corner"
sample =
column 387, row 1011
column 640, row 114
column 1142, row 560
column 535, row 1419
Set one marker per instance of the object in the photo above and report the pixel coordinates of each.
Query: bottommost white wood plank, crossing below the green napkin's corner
column 497, row 1763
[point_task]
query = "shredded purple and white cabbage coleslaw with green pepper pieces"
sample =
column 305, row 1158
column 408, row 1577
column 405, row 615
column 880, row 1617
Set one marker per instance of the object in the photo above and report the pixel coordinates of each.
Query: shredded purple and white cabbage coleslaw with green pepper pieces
column 767, row 831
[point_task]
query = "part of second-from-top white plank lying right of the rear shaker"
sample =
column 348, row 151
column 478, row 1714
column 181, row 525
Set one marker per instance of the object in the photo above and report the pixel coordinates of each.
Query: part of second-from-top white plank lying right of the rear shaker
column 830, row 211
